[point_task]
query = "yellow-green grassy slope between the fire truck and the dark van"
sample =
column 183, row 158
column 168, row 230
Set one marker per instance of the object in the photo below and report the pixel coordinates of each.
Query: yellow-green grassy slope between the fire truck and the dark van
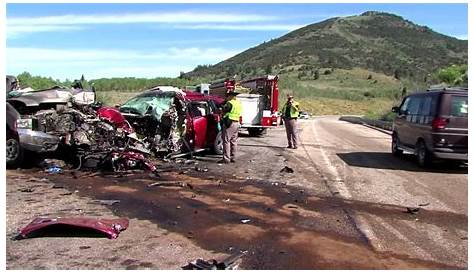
column 341, row 92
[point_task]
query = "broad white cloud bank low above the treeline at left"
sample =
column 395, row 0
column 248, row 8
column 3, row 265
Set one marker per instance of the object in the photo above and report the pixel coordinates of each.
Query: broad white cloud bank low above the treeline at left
column 97, row 63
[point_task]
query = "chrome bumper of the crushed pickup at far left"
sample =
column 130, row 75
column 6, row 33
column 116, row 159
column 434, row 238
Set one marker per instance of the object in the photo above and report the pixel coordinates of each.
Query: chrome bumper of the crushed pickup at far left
column 37, row 141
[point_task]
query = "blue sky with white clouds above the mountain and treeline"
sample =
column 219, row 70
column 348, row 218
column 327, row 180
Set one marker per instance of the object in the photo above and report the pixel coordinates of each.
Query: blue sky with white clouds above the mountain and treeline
column 152, row 40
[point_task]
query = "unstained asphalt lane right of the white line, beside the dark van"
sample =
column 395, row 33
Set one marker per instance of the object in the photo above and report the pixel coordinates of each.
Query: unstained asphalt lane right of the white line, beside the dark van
column 356, row 162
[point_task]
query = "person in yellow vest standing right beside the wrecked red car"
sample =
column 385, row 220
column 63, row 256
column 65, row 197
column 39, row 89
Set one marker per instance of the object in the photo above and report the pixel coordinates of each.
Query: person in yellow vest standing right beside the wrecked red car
column 230, row 127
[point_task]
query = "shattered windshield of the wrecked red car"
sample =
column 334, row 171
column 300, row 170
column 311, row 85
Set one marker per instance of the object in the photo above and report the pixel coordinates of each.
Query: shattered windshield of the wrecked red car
column 154, row 104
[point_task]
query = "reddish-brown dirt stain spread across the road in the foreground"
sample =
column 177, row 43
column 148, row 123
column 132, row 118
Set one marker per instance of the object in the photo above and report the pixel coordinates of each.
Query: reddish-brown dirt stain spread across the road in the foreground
column 286, row 229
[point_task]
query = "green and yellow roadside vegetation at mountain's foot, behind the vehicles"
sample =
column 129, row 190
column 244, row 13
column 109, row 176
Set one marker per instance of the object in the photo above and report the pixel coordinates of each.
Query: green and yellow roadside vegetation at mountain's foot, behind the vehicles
column 323, row 91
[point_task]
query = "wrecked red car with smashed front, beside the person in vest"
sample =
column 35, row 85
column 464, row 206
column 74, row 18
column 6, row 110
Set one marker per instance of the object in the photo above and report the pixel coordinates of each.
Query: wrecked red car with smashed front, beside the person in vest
column 173, row 121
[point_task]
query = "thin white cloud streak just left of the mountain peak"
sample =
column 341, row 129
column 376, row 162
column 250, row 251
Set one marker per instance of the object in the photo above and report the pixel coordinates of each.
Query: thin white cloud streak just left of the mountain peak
column 260, row 27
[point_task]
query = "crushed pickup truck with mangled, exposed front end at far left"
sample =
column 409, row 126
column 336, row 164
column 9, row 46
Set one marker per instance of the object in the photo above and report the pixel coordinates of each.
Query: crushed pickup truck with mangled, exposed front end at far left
column 88, row 134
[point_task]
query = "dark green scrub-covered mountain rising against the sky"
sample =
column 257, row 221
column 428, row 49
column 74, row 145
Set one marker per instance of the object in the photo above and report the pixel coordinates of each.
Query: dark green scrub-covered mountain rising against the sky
column 376, row 41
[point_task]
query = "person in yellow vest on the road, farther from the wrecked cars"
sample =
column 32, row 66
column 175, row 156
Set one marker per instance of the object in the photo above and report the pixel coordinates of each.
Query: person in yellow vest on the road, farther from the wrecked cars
column 290, row 113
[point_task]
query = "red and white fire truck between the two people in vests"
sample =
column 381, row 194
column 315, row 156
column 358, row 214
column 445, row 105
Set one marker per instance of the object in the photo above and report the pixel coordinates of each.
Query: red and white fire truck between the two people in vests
column 260, row 105
